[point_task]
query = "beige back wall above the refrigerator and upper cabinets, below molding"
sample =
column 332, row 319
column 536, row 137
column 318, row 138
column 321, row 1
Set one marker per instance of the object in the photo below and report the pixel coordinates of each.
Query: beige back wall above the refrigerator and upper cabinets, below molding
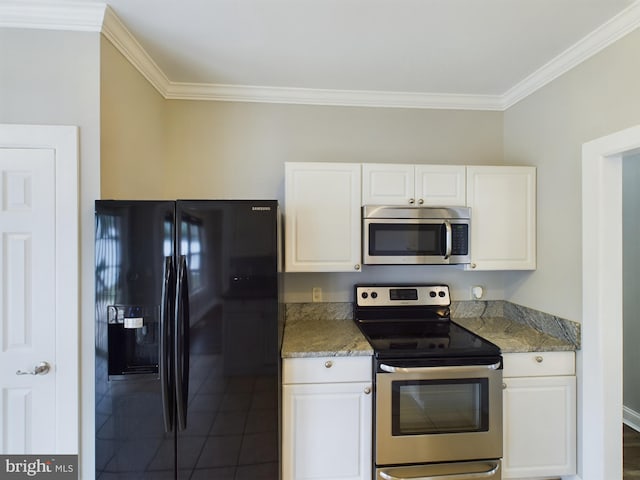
column 238, row 150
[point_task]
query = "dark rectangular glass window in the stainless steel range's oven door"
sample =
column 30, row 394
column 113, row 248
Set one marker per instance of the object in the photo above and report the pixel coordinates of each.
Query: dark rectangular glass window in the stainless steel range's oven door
column 422, row 407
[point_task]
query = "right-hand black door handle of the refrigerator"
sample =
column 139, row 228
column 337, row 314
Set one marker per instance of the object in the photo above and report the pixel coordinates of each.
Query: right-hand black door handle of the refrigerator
column 181, row 344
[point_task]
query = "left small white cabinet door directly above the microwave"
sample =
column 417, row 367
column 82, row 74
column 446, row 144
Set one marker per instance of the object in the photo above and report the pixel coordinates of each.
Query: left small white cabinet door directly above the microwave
column 387, row 184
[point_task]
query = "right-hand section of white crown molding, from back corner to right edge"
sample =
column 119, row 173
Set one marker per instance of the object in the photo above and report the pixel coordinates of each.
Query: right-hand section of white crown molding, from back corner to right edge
column 608, row 33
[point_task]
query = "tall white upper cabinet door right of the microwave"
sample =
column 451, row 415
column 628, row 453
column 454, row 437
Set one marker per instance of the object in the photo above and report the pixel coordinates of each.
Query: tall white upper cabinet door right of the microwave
column 503, row 216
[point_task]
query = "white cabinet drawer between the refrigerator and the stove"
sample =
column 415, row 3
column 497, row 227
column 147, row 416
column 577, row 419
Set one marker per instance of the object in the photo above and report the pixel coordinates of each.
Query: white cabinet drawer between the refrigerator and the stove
column 326, row 369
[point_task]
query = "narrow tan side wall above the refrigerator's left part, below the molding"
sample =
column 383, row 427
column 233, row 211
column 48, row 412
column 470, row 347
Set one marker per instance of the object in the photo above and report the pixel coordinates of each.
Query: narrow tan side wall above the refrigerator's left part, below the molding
column 132, row 115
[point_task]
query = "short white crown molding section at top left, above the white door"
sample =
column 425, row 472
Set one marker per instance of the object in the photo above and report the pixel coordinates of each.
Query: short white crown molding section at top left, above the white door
column 49, row 15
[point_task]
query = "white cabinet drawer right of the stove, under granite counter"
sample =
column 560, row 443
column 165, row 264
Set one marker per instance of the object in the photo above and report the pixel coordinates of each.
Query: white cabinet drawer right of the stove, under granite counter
column 539, row 364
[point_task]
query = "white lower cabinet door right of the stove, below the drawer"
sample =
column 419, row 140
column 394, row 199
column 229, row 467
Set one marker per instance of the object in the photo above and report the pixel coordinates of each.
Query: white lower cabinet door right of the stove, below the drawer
column 539, row 427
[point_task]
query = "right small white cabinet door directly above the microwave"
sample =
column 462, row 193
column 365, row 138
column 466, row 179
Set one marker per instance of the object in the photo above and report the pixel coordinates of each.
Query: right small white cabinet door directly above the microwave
column 437, row 185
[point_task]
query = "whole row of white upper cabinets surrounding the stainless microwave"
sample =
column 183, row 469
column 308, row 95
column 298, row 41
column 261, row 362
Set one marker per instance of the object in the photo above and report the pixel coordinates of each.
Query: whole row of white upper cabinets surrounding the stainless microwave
column 323, row 210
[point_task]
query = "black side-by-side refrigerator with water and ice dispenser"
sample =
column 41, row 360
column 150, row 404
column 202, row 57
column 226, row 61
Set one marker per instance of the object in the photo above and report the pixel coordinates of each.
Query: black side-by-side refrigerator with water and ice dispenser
column 188, row 333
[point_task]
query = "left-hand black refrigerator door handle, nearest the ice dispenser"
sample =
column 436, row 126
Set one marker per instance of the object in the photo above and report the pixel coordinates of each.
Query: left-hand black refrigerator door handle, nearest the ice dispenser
column 166, row 331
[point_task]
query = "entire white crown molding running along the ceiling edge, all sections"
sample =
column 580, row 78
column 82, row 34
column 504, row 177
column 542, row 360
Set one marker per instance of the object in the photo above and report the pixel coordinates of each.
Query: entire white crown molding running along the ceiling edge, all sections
column 99, row 17
